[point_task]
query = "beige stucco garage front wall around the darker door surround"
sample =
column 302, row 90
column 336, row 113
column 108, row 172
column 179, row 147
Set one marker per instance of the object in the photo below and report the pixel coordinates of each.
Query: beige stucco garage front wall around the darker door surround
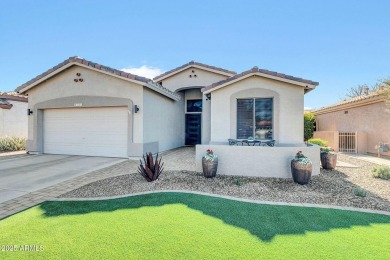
column 95, row 84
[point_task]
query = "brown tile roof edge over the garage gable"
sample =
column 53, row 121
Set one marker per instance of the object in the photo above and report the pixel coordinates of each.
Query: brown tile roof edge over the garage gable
column 77, row 60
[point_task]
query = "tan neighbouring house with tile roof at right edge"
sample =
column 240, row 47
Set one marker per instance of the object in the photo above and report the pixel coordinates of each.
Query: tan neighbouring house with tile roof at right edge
column 357, row 125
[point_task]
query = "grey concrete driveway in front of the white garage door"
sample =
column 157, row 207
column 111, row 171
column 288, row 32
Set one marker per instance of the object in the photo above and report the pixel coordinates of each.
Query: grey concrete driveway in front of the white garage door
column 23, row 175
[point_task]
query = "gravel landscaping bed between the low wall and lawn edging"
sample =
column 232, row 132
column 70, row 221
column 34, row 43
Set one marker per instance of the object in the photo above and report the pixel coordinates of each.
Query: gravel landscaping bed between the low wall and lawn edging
column 329, row 188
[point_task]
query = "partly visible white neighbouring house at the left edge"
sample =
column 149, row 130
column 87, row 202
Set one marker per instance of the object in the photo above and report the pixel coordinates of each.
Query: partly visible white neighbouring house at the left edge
column 13, row 114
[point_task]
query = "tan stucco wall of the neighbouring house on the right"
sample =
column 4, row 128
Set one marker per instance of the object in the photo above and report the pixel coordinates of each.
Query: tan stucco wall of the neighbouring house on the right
column 370, row 119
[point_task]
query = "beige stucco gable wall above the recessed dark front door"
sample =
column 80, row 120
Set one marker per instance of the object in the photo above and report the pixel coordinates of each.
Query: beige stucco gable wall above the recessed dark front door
column 182, row 80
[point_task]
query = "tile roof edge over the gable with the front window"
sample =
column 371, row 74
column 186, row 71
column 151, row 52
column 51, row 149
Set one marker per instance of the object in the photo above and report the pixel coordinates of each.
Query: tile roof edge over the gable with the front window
column 257, row 70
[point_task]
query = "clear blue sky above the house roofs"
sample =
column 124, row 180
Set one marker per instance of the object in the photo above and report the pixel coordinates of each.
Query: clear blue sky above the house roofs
column 341, row 44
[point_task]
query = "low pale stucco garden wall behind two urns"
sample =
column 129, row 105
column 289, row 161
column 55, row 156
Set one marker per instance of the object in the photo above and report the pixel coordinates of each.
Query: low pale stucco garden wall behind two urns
column 257, row 161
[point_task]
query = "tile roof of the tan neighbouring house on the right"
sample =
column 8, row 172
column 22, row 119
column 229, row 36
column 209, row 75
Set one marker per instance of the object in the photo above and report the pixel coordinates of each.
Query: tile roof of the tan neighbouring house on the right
column 371, row 97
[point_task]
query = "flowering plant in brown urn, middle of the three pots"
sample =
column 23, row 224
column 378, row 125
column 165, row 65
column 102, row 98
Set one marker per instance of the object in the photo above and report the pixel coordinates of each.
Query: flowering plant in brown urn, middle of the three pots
column 301, row 168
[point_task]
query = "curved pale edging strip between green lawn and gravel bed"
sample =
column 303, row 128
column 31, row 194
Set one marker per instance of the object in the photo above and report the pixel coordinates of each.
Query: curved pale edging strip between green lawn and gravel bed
column 230, row 198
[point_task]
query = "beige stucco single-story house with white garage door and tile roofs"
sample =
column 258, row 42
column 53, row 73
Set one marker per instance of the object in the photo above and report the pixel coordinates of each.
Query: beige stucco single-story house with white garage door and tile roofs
column 83, row 108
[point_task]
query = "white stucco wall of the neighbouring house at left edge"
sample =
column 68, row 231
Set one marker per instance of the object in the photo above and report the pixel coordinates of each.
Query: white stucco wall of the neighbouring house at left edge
column 13, row 122
